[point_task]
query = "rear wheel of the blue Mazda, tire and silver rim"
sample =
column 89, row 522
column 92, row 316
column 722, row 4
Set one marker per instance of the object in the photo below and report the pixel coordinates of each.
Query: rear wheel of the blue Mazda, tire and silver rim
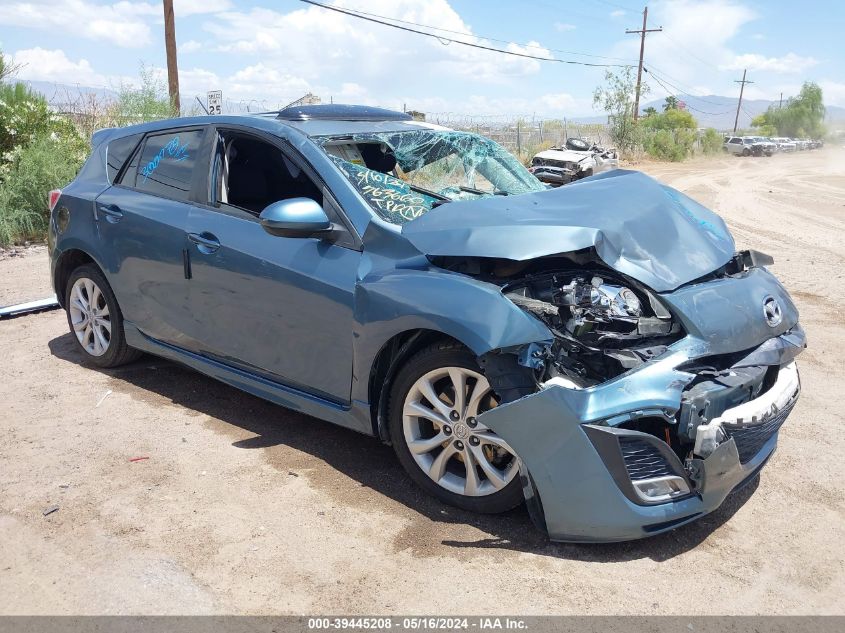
column 95, row 320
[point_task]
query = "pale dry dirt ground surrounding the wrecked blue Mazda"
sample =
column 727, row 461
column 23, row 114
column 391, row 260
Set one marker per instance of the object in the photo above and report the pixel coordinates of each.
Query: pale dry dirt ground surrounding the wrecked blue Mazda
column 243, row 507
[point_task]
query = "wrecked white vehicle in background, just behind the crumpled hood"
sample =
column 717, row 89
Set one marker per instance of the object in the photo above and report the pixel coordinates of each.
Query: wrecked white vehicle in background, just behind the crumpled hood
column 577, row 159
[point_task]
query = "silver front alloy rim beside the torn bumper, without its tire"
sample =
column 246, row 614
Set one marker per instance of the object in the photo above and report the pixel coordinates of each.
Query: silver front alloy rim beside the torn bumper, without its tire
column 445, row 438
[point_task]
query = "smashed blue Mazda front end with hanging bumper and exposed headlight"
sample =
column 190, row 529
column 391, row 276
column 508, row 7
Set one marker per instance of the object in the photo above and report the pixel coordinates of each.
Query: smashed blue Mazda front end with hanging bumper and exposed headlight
column 640, row 424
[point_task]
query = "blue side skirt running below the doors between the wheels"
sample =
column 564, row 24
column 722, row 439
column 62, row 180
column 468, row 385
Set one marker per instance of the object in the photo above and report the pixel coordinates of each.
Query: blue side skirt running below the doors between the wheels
column 355, row 416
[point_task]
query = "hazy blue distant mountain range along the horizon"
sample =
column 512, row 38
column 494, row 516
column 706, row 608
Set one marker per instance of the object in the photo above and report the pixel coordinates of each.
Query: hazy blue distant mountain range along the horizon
column 710, row 111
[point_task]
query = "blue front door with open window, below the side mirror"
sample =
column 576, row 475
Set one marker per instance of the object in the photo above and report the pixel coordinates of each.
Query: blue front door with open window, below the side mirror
column 279, row 307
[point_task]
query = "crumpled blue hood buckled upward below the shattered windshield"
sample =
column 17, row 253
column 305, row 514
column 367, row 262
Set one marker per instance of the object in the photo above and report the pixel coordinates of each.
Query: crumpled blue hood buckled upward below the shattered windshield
column 641, row 228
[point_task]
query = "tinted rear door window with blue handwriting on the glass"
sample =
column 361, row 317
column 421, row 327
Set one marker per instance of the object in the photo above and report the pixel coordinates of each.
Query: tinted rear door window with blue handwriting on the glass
column 166, row 164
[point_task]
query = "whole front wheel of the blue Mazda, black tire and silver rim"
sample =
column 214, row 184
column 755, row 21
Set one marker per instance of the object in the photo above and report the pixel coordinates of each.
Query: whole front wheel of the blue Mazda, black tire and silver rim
column 434, row 403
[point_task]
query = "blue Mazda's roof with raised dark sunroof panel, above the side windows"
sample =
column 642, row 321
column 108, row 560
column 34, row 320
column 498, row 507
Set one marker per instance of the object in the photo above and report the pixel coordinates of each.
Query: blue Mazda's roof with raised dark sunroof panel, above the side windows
column 318, row 120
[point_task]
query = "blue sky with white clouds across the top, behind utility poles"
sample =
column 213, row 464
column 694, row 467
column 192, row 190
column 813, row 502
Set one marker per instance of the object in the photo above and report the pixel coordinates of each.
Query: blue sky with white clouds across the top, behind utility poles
column 266, row 53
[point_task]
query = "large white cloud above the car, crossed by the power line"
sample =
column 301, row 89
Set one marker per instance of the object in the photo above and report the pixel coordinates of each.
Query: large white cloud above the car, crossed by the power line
column 314, row 40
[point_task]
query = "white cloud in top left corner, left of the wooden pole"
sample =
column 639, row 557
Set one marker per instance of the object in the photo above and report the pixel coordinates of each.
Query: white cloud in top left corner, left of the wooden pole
column 120, row 24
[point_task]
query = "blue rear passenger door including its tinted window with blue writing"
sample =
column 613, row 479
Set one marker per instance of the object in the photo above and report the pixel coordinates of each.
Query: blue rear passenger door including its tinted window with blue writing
column 141, row 223
